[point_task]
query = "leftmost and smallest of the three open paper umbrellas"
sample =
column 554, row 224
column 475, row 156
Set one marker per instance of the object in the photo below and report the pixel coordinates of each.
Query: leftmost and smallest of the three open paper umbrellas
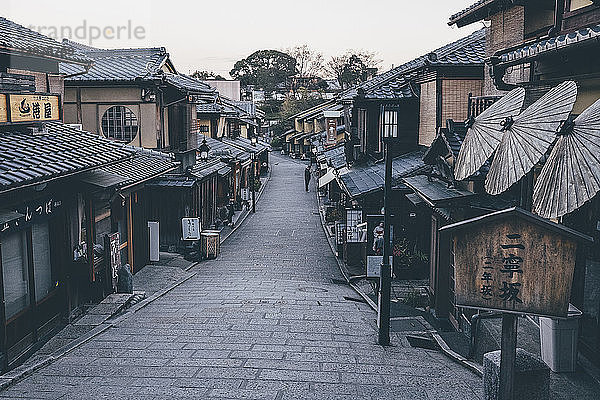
column 485, row 133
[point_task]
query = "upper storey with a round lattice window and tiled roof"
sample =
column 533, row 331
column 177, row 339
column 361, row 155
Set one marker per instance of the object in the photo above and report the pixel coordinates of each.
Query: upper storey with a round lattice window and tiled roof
column 134, row 96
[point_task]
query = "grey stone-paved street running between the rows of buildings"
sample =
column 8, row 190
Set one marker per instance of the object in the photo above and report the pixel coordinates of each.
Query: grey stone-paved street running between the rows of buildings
column 263, row 321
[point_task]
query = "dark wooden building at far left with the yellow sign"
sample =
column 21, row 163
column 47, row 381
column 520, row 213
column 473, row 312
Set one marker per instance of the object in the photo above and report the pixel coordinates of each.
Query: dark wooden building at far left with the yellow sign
column 43, row 229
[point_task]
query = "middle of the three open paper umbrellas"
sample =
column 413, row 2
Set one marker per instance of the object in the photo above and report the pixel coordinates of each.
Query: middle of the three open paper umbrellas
column 528, row 137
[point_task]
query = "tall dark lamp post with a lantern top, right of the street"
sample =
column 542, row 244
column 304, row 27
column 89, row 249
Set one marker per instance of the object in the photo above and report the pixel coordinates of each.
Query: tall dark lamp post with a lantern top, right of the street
column 389, row 133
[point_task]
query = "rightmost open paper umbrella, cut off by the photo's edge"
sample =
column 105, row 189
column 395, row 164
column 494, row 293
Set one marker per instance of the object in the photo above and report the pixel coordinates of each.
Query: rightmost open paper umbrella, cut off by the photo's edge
column 571, row 175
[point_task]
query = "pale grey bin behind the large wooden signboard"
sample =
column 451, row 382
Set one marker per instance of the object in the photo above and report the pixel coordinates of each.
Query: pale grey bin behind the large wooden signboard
column 558, row 338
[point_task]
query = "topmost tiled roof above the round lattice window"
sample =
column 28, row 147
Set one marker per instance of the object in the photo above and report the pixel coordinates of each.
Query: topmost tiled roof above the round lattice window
column 116, row 64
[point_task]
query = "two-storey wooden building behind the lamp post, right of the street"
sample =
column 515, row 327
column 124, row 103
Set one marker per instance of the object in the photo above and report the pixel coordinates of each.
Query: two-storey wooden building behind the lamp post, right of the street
column 413, row 100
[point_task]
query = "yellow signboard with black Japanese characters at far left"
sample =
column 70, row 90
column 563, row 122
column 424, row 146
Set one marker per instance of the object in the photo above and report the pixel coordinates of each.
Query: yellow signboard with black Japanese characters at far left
column 32, row 107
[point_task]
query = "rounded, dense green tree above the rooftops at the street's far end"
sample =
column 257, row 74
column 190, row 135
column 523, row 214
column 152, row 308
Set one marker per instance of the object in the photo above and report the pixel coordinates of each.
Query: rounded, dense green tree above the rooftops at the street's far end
column 265, row 69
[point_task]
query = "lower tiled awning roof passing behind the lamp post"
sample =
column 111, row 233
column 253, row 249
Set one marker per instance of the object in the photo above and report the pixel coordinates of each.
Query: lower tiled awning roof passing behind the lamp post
column 362, row 180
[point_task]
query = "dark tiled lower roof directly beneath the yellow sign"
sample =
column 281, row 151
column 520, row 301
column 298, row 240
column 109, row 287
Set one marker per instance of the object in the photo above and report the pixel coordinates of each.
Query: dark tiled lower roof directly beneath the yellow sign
column 28, row 159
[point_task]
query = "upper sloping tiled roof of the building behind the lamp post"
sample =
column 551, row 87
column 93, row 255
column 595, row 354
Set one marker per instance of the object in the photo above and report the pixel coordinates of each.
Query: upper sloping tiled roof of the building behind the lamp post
column 466, row 51
